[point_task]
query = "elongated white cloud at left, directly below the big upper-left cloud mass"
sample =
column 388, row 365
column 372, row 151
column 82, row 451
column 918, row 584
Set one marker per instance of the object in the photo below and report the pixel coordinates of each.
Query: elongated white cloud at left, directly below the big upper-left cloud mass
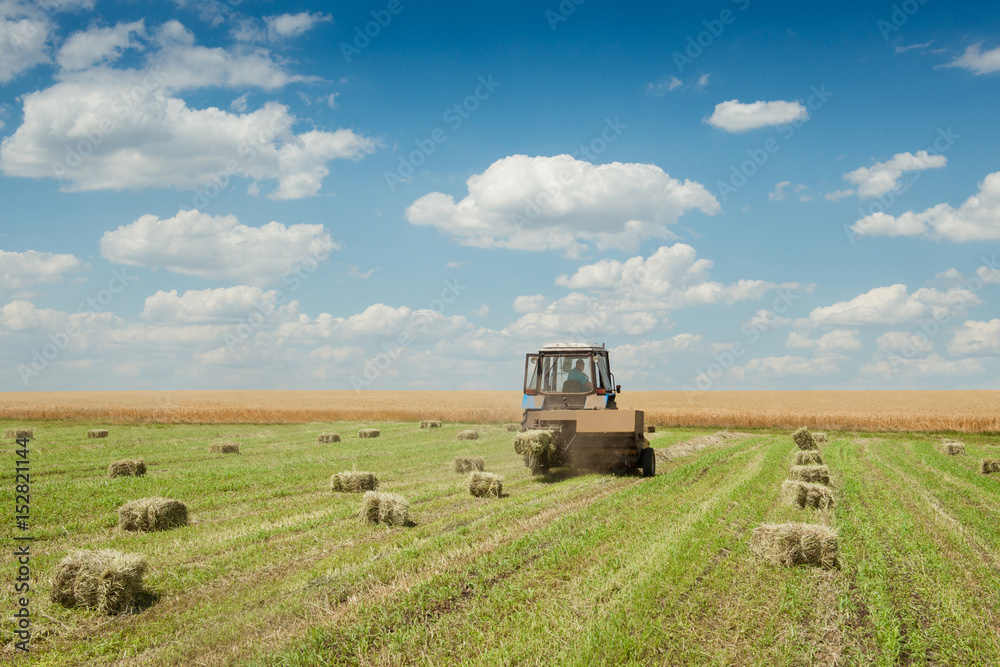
column 219, row 247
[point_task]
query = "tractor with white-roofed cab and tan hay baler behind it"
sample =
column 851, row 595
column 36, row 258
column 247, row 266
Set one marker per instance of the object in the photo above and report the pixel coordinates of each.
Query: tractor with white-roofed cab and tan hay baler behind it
column 569, row 390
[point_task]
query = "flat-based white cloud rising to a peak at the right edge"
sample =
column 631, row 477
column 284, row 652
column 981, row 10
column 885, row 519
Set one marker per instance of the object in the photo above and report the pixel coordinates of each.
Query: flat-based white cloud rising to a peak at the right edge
column 977, row 219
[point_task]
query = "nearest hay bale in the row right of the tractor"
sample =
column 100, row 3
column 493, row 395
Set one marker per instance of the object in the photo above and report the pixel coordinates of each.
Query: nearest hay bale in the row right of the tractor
column 791, row 544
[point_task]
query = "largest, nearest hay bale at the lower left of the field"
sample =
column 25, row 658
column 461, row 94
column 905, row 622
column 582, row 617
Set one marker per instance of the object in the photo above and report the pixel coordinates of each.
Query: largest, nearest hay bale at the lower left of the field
column 105, row 580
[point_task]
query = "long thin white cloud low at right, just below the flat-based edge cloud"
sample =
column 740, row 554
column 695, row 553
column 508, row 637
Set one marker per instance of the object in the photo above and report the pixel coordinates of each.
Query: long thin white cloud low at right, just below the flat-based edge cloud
column 894, row 305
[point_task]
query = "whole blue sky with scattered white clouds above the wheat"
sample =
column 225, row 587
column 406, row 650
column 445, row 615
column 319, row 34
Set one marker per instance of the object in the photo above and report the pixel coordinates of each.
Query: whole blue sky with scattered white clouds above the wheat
column 405, row 195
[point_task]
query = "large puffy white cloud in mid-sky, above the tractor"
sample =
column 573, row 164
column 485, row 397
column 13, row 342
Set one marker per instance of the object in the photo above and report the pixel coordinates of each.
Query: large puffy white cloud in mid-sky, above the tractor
column 538, row 203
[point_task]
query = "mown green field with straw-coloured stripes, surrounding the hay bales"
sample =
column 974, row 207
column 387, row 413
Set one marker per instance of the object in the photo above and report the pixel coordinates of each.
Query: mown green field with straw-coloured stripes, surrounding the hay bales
column 574, row 570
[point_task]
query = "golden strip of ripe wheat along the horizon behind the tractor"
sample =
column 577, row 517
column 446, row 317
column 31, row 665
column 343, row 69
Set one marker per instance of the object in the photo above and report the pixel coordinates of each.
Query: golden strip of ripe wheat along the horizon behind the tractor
column 968, row 411
